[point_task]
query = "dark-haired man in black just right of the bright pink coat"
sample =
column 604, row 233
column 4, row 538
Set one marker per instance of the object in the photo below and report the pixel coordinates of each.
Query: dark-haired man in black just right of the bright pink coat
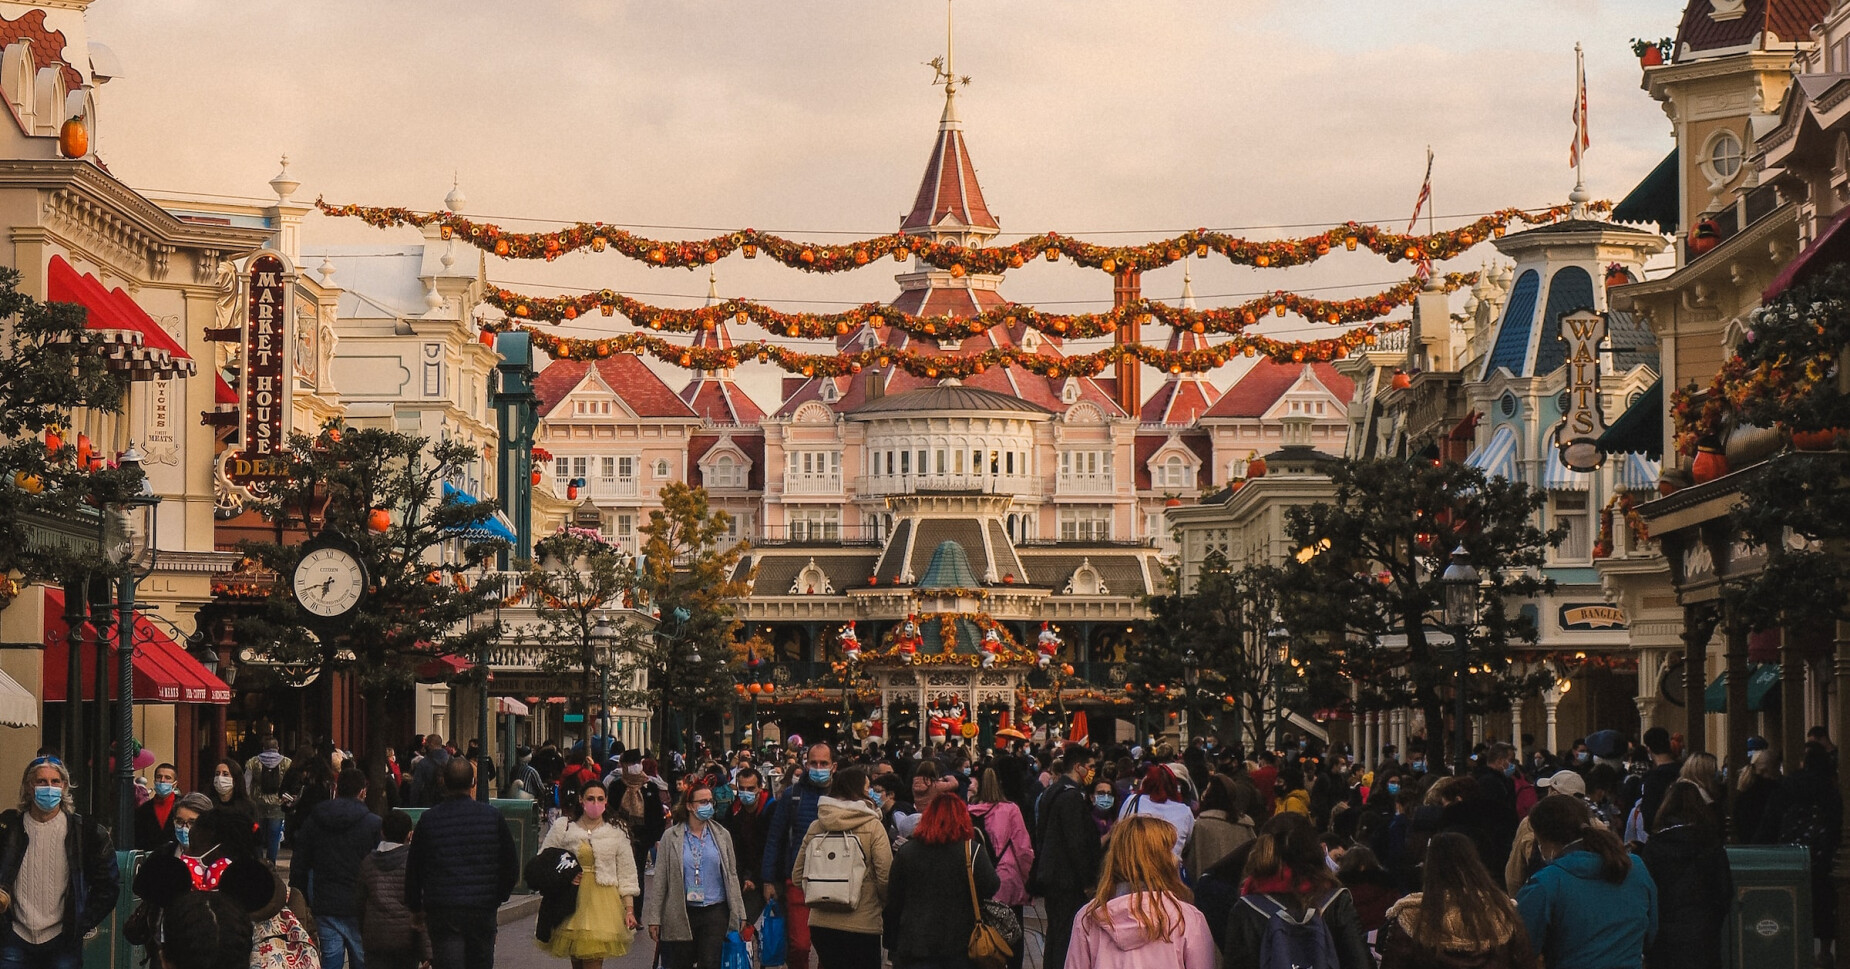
column 1067, row 850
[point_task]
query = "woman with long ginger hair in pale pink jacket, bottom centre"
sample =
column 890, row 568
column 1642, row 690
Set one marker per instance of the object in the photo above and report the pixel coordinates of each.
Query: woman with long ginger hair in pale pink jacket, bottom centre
column 1142, row 916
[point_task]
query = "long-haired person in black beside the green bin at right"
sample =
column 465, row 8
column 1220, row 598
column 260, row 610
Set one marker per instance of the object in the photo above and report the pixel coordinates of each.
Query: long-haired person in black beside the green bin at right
column 1696, row 889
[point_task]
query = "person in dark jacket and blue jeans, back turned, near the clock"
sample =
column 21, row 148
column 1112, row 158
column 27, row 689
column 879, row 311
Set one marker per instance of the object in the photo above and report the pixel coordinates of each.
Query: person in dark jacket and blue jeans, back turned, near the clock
column 332, row 842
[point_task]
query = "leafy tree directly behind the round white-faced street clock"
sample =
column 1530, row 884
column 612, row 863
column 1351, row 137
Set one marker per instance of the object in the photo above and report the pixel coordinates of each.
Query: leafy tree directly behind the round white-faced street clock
column 430, row 595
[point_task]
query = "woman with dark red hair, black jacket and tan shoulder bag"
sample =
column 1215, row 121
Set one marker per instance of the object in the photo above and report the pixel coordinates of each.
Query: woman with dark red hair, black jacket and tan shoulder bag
column 930, row 909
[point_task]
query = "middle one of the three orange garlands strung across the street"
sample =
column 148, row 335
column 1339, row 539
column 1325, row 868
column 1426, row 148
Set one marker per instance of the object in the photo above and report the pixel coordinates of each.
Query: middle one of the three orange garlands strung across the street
column 1079, row 326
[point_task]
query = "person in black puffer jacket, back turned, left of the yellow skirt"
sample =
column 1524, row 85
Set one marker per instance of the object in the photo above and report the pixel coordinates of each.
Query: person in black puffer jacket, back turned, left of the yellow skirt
column 463, row 866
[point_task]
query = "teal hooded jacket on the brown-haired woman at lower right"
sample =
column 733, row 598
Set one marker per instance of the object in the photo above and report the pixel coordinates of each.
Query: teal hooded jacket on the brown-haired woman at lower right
column 1583, row 922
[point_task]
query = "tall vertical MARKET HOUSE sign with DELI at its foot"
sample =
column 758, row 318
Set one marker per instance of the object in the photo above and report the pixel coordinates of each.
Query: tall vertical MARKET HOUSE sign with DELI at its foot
column 265, row 387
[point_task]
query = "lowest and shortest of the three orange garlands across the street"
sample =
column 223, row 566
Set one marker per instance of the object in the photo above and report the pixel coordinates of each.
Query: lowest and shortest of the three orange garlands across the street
column 950, row 365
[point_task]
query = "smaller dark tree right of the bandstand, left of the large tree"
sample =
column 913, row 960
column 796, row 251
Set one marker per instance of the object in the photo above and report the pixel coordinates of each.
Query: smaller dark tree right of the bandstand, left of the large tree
column 1227, row 620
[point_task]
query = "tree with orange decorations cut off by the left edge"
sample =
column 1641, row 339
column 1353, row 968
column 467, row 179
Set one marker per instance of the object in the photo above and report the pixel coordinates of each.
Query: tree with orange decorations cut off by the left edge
column 49, row 369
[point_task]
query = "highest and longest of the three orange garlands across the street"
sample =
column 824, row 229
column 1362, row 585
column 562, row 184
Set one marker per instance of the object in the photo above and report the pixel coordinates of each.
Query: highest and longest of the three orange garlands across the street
column 954, row 258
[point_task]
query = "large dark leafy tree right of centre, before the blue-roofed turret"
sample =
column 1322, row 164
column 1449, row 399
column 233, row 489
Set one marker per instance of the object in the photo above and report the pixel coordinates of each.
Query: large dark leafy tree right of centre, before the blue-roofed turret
column 1364, row 598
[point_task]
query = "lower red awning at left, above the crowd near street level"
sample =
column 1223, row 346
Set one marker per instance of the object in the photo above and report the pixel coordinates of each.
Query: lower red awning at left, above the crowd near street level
column 164, row 670
